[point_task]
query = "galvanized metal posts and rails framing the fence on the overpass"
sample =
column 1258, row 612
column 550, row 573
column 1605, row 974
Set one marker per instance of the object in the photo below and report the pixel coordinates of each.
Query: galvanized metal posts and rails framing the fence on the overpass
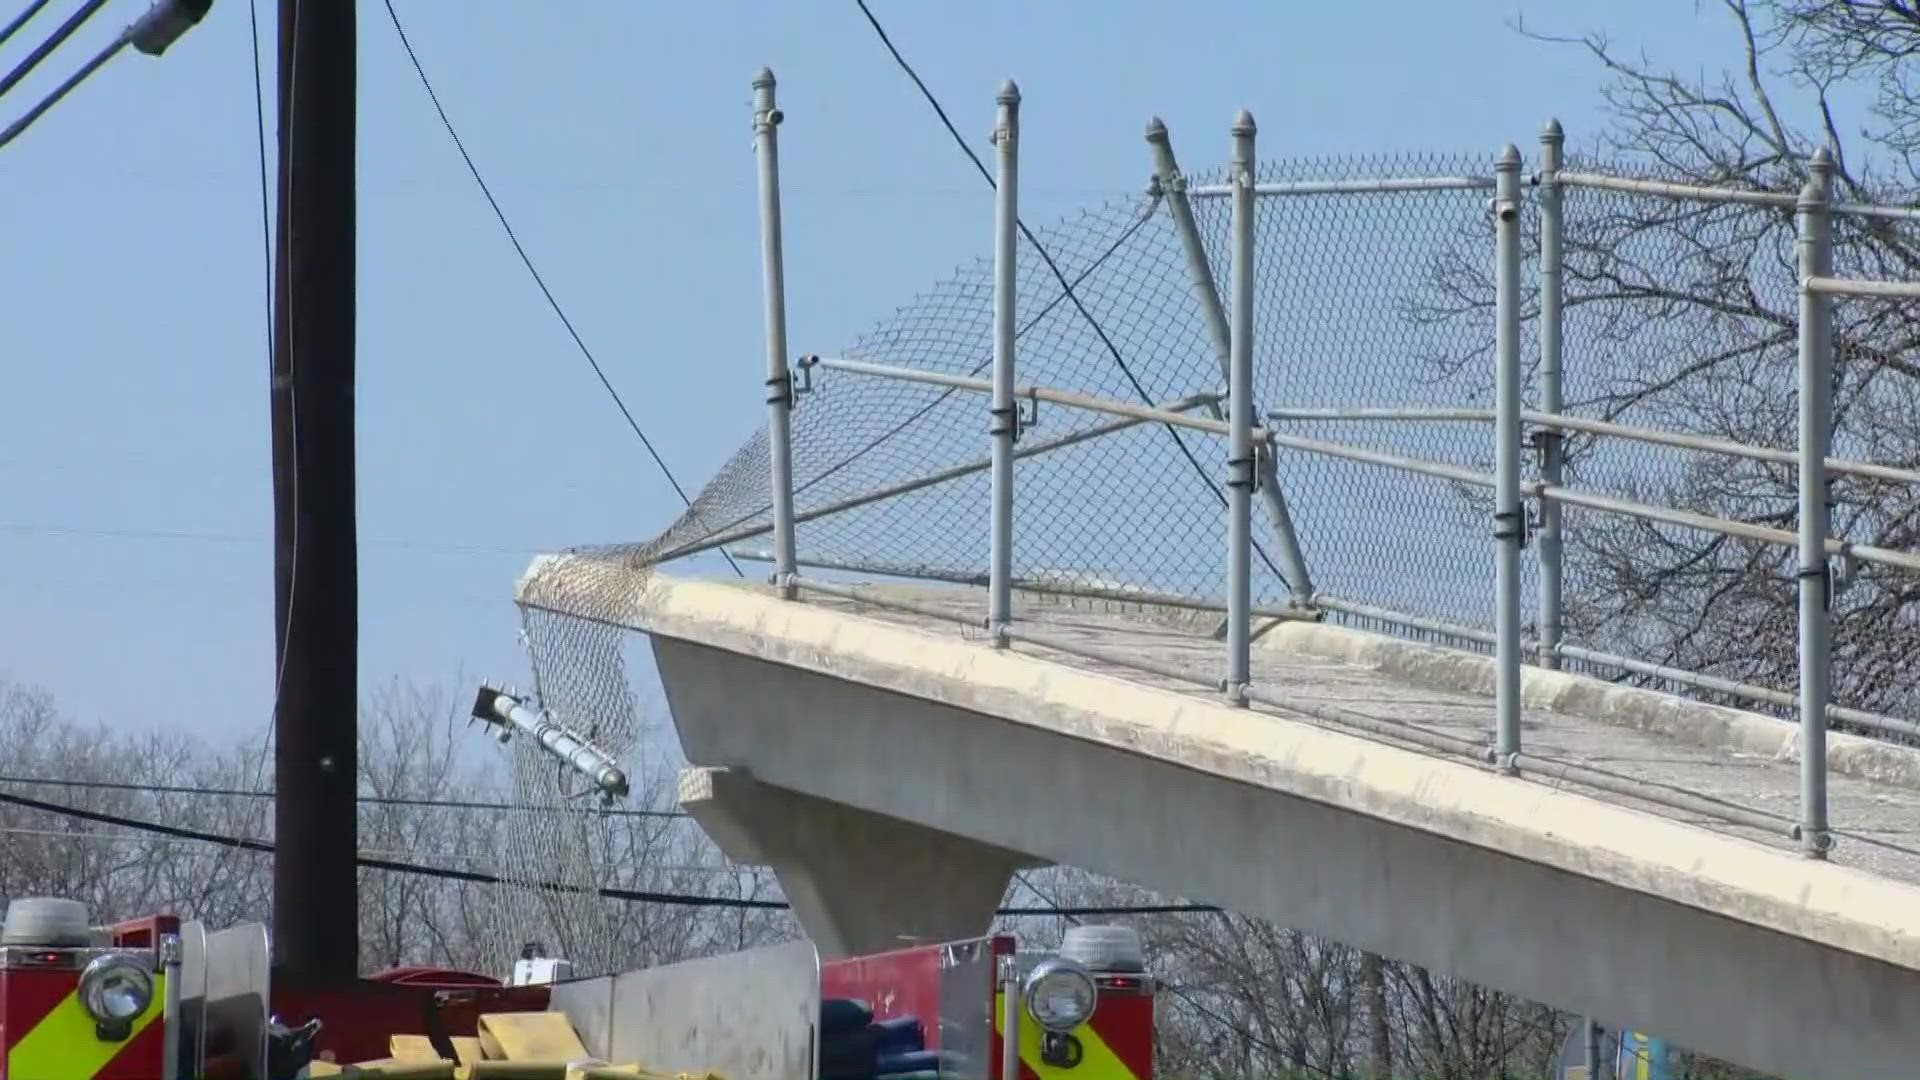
column 1253, row 447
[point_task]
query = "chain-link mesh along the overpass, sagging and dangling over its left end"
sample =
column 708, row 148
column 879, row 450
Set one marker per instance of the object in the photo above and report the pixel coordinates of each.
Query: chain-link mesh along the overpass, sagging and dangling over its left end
column 1671, row 401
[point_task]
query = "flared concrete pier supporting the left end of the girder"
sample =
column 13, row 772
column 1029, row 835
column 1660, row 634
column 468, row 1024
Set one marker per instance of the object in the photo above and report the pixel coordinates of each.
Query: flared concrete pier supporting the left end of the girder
column 859, row 883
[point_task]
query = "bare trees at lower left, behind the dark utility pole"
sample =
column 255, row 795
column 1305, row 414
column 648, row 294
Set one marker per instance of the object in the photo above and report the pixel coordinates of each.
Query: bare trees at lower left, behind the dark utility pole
column 433, row 797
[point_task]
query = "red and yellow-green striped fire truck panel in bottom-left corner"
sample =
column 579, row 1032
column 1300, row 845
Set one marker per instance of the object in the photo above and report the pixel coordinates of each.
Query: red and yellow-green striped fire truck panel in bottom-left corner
column 51, row 1037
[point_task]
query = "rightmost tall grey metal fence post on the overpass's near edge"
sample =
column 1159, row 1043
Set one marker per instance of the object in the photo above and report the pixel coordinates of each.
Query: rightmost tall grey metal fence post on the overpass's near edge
column 1815, row 418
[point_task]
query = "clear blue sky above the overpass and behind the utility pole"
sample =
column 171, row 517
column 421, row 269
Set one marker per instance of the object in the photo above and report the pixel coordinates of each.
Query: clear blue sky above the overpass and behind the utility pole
column 137, row 512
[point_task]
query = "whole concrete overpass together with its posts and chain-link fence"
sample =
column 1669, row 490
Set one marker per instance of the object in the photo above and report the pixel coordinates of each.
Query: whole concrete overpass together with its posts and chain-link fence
column 1652, row 862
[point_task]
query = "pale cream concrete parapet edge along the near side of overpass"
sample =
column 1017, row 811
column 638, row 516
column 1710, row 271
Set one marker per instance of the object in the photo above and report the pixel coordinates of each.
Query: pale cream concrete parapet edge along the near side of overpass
column 1570, row 831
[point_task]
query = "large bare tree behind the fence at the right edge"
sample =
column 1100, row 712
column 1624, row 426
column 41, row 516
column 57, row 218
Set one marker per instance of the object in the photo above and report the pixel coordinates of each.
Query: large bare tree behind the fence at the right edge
column 1685, row 316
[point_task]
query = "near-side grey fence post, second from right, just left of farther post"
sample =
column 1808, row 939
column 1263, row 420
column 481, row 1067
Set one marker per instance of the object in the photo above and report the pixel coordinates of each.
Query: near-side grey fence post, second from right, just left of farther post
column 1508, row 514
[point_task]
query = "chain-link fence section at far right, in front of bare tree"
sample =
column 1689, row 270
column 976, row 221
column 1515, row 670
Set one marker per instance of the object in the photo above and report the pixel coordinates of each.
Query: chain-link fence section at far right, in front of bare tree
column 1683, row 316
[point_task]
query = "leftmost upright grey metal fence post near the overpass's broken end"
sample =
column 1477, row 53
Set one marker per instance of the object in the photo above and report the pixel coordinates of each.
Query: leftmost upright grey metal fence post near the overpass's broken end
column 779, row 376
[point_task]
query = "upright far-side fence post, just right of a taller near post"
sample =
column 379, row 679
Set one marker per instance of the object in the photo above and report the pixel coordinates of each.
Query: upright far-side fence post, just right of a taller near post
column 1552, row 443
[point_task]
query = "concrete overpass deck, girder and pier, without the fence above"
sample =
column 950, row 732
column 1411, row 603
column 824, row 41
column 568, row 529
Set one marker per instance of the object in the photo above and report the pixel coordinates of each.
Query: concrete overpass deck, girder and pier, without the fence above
column 894, row 772
